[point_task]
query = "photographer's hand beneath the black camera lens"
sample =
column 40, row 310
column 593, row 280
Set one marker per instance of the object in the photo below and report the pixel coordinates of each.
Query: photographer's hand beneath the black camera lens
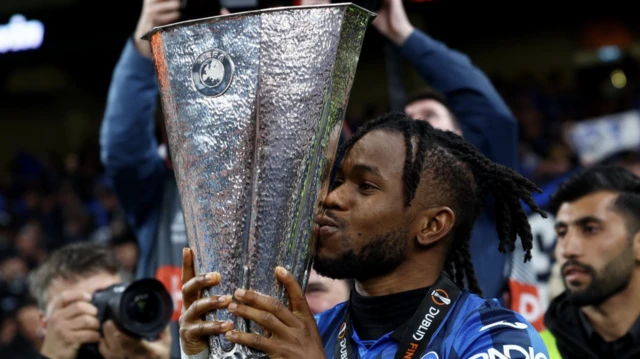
column 117, row 345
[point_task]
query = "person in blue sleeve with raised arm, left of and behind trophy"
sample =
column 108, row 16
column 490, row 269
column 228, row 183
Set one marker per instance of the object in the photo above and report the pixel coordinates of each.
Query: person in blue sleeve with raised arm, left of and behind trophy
column 142, row 178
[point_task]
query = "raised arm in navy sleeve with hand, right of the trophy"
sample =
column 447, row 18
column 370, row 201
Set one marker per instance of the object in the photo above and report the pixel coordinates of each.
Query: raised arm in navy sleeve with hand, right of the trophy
column 484, row 117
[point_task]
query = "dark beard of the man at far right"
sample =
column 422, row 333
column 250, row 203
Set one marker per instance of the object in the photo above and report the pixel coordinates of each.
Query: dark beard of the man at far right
column 611, row 280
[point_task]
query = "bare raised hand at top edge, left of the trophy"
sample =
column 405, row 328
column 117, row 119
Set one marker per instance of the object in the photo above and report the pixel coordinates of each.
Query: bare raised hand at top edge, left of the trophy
column 154, row 13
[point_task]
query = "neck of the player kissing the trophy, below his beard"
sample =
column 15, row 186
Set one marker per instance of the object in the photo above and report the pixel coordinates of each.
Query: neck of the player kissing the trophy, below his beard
column 411, row 274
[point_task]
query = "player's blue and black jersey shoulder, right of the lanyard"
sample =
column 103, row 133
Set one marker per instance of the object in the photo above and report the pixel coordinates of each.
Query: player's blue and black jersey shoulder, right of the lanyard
column 486, row 330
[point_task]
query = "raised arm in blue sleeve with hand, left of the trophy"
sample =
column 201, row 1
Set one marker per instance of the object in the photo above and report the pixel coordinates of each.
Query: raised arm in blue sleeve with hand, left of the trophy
column 129, row 149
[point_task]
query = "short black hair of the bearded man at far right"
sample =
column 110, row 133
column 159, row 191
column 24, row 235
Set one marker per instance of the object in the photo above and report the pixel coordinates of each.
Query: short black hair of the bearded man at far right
column 603, row 179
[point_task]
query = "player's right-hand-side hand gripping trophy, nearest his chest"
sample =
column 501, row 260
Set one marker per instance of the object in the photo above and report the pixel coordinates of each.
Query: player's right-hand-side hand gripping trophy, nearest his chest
column 293, row 332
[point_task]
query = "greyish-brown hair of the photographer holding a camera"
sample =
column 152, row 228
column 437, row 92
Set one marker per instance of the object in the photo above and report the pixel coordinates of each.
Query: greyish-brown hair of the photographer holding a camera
column 71, row 262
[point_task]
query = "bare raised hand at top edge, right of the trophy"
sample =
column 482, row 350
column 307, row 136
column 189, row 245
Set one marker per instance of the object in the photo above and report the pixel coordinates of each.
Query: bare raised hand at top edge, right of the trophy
column 393, row 23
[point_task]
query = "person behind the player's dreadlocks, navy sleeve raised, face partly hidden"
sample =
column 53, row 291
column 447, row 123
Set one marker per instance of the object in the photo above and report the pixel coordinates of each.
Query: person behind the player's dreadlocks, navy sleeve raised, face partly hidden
column 462, row 100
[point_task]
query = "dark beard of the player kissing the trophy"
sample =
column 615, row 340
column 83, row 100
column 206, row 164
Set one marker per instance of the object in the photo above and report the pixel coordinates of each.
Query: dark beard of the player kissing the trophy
column 379, row 256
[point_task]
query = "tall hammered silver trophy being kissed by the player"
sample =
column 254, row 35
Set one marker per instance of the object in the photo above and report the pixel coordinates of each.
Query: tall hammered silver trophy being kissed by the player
column 253, row 105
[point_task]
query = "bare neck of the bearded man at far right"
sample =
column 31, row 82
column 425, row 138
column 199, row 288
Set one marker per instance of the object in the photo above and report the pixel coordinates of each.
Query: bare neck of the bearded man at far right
column 614, row 318
